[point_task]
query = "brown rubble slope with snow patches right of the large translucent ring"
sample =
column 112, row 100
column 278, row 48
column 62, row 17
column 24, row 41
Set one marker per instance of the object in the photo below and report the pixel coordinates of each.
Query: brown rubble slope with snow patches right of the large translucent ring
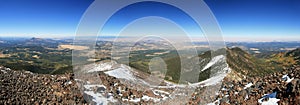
column 281, row 88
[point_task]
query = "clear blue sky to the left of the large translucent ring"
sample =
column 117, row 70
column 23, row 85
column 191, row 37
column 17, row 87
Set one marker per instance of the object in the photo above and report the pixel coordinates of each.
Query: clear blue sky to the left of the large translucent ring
column 41, row 18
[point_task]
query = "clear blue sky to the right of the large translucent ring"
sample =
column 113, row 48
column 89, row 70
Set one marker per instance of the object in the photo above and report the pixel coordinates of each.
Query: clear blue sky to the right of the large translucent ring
column 278, row 19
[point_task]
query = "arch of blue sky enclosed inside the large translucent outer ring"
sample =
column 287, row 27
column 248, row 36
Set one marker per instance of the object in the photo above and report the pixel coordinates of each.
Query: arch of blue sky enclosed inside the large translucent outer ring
column 123, row 18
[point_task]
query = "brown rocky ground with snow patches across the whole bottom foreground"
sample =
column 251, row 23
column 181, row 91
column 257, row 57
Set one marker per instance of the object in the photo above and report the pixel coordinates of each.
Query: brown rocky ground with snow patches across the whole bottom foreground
column 23, row 87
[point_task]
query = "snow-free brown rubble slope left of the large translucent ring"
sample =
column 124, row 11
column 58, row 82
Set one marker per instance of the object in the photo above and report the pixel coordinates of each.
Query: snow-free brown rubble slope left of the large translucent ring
column 23, row 87
